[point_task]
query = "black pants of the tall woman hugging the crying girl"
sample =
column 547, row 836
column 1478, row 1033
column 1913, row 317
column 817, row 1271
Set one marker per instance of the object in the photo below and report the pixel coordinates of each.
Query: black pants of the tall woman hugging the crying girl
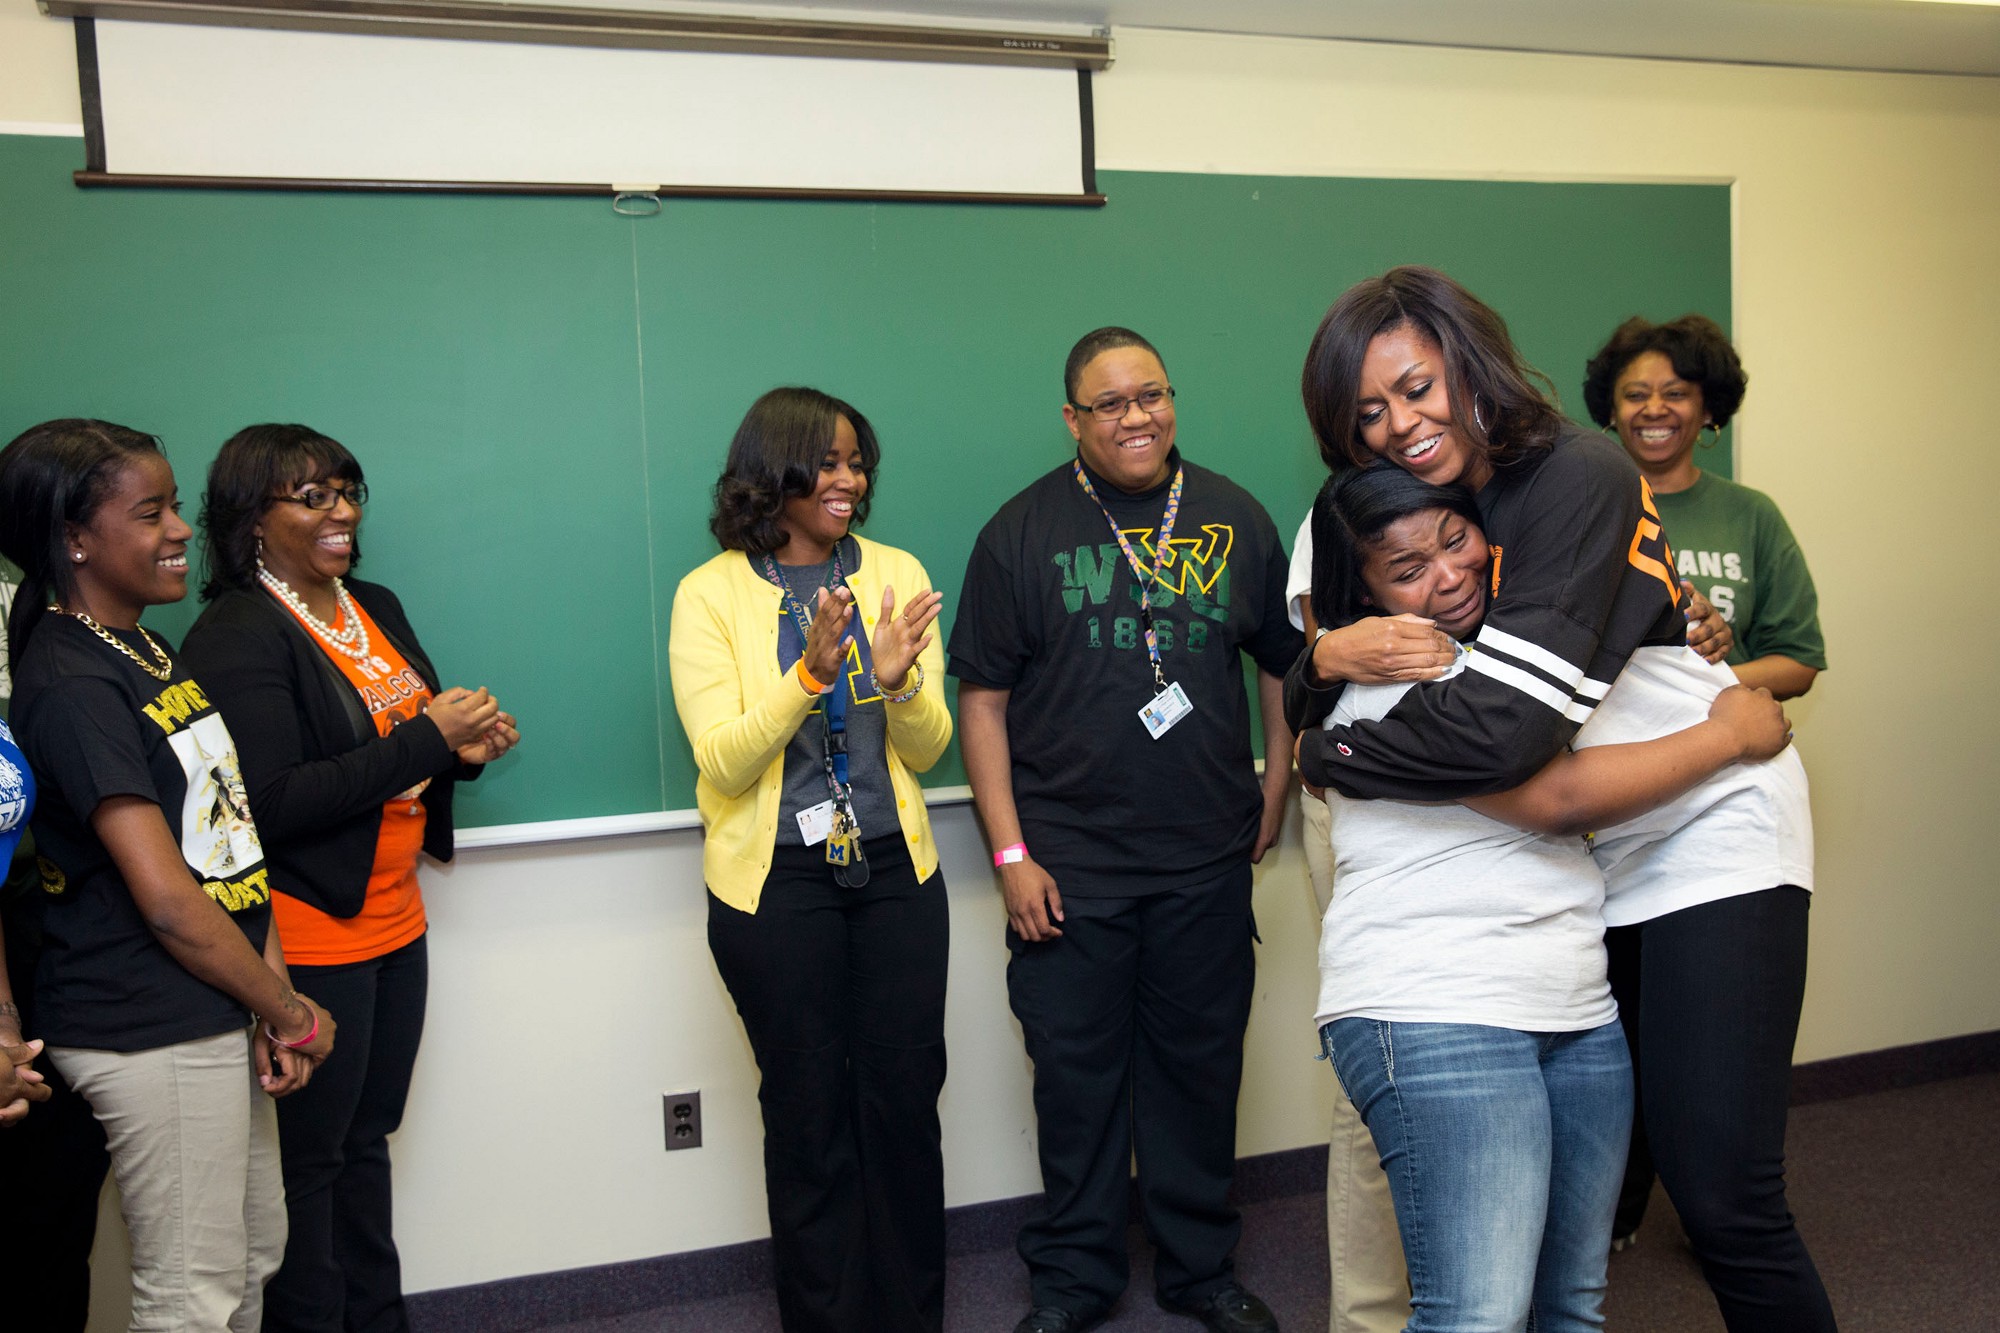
column 1709, row 1000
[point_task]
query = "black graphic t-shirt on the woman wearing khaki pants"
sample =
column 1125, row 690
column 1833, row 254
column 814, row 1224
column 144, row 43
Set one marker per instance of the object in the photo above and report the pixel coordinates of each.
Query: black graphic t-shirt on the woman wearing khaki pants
column 95, row 728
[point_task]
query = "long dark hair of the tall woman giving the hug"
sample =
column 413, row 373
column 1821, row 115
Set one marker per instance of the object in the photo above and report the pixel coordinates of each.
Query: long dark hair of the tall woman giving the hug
column 1495, row 397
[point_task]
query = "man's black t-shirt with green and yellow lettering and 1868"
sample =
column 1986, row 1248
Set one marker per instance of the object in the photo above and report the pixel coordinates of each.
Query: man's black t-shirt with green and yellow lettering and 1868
column 1051, row 611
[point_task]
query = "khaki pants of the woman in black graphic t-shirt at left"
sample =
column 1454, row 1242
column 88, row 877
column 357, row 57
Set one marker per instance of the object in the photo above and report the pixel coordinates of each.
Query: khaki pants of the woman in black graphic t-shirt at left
column 195, row 1148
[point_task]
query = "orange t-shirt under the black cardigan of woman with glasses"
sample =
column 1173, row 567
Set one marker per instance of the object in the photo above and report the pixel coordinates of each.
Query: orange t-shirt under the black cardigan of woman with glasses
column 393, row 914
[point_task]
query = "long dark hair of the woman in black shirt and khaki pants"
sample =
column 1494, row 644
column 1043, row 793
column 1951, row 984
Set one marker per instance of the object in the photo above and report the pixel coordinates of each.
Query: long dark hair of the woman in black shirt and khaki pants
column 51, row 477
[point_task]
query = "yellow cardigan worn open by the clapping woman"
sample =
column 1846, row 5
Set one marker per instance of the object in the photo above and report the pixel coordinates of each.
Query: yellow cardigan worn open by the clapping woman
column 741, row 712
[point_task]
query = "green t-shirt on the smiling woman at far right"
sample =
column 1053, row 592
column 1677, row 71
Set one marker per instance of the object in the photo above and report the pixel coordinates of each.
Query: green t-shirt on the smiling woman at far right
column 1739, row 553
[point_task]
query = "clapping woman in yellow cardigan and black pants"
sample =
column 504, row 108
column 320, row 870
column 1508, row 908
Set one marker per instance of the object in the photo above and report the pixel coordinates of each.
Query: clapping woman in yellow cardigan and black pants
column 813, row 698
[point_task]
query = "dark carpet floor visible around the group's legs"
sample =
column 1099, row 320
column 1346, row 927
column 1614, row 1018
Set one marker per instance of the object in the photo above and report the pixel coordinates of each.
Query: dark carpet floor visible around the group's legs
column 1897, row 1194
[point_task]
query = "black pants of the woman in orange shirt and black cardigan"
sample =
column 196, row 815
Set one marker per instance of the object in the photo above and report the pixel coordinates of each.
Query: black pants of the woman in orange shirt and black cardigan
column 341, row 1268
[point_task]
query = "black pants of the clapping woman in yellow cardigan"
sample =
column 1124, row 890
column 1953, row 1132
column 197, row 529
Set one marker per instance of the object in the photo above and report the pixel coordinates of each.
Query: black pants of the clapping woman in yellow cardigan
column 843, row 998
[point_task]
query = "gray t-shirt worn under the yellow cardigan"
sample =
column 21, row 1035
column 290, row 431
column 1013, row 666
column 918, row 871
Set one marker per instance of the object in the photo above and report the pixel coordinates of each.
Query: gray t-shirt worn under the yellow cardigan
column 805, row 770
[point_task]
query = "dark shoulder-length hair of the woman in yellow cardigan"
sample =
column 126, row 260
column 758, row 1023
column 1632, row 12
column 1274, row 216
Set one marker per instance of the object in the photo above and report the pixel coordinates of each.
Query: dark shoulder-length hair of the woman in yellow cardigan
column 777, row 455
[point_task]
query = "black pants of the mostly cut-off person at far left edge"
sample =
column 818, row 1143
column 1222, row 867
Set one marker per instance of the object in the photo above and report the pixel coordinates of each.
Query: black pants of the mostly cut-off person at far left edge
column 55, row 1166
